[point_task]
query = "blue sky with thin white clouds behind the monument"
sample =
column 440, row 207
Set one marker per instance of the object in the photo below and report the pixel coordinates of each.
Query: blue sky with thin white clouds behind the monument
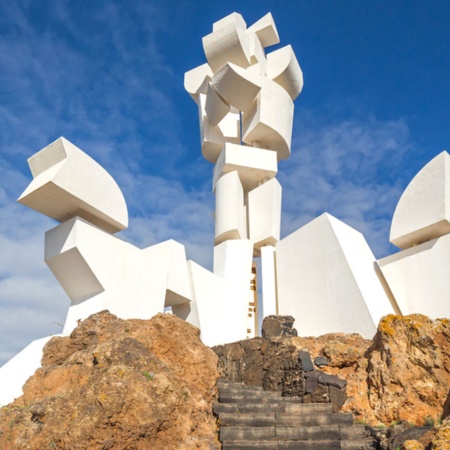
column 108, row 76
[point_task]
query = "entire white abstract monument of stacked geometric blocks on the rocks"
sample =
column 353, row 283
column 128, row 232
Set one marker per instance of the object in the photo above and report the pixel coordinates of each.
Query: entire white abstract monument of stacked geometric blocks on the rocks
column 323, row 274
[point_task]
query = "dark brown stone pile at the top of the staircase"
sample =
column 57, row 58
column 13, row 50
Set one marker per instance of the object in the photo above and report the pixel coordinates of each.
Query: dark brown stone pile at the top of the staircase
column 271, row 363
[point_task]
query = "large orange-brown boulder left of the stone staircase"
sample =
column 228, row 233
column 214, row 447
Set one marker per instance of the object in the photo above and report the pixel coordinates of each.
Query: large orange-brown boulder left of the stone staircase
column 118, row 384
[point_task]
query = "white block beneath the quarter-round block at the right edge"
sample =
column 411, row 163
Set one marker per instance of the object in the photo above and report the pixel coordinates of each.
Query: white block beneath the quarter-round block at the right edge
column 419, row 278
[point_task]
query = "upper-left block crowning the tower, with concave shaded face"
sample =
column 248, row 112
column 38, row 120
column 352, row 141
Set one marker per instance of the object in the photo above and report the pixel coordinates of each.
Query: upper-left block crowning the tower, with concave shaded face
column 227, row 43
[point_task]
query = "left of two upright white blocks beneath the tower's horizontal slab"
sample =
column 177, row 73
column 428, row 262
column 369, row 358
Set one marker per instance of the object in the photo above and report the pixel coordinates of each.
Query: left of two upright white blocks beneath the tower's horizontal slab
column 230, row 216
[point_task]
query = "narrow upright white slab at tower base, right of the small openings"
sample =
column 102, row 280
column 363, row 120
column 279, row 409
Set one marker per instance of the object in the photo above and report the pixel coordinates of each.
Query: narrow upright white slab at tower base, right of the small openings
column 269, row 281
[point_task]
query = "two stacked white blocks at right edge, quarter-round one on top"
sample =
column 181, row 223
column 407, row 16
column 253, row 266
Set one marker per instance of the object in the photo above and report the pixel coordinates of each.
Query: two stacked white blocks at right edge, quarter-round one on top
column 419, row 276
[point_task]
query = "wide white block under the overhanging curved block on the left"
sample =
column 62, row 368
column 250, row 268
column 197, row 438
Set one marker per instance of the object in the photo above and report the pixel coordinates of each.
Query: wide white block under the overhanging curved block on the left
column 99, row 271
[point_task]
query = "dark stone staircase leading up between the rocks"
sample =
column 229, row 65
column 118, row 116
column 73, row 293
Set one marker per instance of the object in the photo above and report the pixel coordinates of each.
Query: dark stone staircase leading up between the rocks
column 251, row 418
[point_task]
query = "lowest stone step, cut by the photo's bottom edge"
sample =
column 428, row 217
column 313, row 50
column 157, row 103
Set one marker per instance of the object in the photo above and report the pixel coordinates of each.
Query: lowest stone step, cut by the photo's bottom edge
column 281, row 445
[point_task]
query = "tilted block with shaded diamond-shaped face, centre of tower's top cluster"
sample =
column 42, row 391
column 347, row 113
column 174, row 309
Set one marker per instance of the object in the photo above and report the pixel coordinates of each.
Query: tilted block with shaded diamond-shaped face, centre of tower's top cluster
column 237, row 86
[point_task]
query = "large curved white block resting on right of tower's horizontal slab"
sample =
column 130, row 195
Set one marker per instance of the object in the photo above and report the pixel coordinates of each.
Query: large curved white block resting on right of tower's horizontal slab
column 268, row 123
